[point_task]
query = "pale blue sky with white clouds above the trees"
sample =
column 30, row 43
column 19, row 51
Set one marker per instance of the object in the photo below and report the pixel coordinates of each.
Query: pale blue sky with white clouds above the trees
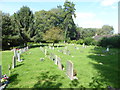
column 89, row 13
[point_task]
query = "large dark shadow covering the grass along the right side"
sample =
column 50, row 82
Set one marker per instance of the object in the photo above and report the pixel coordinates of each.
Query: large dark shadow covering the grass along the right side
column 107, row 65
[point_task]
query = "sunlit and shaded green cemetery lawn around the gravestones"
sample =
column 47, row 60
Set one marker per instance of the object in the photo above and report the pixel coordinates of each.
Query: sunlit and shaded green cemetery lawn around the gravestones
column 94, row 67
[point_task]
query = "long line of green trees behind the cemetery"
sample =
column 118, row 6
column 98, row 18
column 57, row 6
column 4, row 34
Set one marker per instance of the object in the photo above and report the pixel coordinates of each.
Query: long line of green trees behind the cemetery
column 24, row 26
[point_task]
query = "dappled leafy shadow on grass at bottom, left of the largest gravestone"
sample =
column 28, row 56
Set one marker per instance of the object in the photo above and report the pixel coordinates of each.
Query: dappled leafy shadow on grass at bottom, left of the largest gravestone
column 47, row 81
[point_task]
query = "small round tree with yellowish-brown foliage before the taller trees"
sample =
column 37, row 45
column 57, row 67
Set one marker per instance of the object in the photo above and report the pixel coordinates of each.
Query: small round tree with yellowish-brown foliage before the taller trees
column 54, row 34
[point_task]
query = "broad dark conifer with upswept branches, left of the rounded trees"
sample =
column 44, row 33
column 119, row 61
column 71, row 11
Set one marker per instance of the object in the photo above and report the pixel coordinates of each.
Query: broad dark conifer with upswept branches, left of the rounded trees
column 24, row 21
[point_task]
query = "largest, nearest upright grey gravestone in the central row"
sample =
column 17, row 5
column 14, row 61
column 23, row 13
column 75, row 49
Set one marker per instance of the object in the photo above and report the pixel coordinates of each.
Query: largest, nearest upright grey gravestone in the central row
column 69, row 69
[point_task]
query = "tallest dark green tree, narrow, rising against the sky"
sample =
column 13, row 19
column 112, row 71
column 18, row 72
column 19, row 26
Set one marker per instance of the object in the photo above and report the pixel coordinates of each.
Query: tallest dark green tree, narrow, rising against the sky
column 69, row 25
